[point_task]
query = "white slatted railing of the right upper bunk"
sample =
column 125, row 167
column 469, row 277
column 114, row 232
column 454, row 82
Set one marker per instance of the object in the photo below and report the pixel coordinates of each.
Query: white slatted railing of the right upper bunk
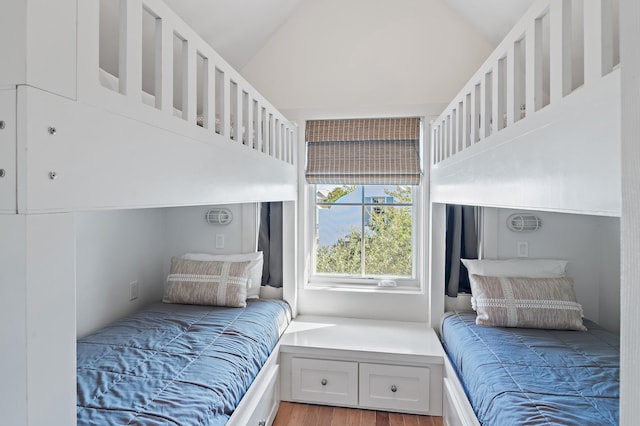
column 557, row 47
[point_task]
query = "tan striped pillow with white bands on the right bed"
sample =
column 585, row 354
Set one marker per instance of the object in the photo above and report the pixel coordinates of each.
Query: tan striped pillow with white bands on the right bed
column 548, row 303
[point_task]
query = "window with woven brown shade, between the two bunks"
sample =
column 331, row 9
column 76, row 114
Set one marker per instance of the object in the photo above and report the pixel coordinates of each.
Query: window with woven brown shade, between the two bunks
column 364, row 178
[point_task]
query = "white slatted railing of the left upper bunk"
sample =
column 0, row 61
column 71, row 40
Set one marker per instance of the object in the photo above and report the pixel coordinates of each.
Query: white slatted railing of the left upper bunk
column 138, row 58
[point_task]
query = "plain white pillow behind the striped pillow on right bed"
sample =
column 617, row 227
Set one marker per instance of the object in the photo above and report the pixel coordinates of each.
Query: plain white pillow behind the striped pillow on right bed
column 521, row 268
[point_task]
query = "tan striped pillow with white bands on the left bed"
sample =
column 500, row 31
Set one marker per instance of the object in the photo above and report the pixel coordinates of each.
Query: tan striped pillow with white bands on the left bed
column 207, row 283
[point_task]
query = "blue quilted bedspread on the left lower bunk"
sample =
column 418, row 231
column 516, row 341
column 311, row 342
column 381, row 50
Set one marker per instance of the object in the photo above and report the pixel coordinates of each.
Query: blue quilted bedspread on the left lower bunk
column 175, row 364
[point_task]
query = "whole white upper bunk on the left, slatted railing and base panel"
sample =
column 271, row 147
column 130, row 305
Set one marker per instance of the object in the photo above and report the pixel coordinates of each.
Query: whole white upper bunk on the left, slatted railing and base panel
column 133, row 109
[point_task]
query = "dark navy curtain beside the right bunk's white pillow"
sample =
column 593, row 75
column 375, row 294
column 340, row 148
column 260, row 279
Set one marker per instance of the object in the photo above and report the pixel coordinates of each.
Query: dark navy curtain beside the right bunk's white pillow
column 461, row 242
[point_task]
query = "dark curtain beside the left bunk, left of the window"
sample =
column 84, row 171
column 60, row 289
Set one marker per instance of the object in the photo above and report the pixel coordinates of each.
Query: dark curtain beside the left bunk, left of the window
column 270, row 243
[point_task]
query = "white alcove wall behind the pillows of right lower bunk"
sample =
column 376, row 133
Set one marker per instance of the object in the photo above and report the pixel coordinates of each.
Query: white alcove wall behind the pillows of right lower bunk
column 591, row 244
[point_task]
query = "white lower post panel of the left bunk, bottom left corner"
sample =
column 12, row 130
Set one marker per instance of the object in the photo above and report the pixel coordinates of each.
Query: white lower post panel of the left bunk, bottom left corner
column 37, row 319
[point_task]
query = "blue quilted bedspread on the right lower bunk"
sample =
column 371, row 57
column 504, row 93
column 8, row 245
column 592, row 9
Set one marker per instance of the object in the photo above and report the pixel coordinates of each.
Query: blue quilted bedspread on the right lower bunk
column 516, row 376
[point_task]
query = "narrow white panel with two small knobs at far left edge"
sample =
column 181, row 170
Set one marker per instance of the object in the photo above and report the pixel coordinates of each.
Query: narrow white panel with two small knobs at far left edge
column 8, row 160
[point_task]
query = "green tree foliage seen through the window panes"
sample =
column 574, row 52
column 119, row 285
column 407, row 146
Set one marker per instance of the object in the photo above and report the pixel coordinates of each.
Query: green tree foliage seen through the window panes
column 387, row 243
